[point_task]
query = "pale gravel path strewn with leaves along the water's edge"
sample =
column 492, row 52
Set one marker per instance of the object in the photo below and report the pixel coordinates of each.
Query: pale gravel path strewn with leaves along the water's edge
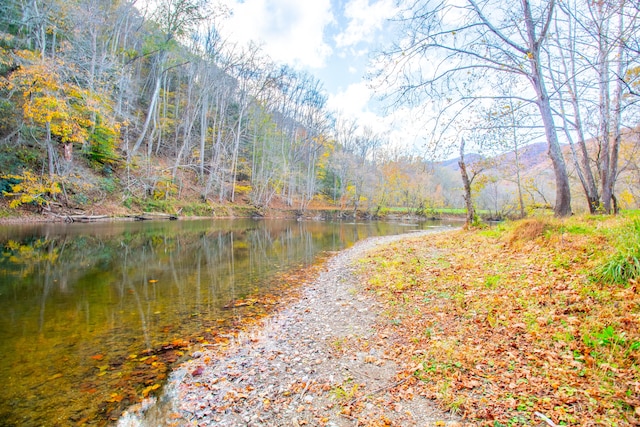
column 320, row 362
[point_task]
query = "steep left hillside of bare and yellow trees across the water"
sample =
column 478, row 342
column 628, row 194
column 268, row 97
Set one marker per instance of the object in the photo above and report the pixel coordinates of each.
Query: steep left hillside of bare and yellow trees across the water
column 160, row 100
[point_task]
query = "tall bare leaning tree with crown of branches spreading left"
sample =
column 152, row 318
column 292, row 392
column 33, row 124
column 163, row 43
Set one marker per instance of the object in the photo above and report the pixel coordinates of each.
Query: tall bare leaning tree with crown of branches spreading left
column 445, row 43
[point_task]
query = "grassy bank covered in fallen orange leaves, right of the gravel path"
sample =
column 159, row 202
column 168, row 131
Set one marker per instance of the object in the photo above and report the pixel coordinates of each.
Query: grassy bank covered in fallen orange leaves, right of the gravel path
column 509, row 325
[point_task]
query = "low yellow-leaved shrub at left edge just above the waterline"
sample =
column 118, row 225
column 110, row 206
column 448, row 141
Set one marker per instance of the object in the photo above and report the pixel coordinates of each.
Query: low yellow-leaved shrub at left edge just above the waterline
column 31, row 189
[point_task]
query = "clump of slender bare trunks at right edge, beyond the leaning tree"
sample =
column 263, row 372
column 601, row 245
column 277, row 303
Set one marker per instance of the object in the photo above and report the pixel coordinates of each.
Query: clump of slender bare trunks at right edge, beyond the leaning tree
column 588, row 61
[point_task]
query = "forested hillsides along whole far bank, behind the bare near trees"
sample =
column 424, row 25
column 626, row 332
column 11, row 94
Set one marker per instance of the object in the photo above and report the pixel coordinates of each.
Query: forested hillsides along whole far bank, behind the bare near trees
column 112, row 106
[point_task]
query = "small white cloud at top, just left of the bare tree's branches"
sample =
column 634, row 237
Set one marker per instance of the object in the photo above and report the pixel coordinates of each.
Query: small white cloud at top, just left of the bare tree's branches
column 364, row 20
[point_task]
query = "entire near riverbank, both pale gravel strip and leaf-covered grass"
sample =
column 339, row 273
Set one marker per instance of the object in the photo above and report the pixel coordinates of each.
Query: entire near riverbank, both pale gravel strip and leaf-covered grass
column 530, row 323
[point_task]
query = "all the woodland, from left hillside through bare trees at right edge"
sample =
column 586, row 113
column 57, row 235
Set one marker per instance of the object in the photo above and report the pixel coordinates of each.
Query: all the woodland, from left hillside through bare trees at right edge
column 105, row 101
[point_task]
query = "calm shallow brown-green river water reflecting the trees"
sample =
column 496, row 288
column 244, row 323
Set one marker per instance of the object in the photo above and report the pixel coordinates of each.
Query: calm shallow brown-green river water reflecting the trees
column 93, row 316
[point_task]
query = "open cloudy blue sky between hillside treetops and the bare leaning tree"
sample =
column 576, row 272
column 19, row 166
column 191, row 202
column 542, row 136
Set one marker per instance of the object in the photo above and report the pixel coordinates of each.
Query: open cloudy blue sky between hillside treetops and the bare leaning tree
column 331, row 39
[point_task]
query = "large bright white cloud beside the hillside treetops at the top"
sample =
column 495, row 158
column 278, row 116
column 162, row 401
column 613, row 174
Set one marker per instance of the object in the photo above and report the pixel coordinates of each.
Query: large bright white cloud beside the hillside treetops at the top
column 290, row 31
